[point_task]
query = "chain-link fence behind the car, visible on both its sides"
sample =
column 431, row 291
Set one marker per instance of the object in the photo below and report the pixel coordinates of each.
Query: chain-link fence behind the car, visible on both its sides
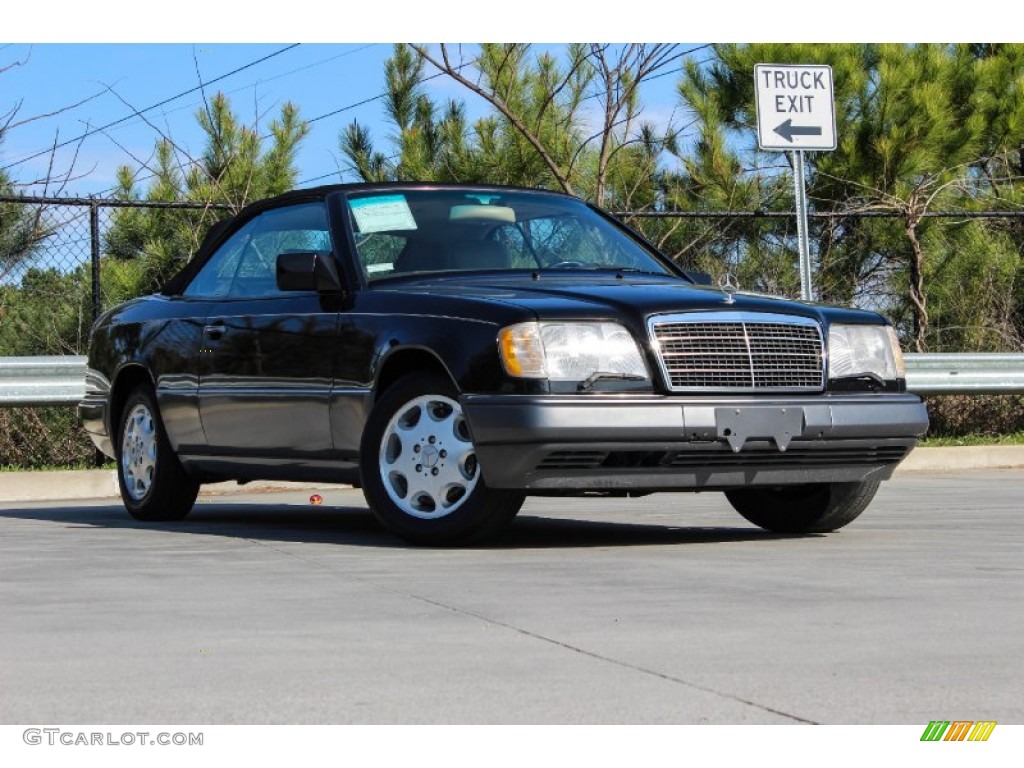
column 65, row 261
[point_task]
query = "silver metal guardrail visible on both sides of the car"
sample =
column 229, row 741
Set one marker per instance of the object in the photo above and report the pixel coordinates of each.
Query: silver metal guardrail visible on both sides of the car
column 61, row 380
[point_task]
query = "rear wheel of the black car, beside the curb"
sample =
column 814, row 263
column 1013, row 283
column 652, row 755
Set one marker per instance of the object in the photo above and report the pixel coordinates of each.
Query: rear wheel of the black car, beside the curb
column 154, row 485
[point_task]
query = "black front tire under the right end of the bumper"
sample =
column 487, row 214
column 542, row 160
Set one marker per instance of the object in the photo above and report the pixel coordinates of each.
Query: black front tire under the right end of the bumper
column 817, row 508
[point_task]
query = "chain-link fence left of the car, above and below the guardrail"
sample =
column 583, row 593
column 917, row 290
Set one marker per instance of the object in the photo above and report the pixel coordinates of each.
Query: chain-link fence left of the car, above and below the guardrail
column 63, row 263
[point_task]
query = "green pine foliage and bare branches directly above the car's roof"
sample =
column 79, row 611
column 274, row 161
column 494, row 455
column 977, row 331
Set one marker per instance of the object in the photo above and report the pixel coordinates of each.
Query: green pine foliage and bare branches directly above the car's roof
column 540, row 135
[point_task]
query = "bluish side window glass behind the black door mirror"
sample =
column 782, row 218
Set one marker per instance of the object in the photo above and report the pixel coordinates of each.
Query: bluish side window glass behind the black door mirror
column 246, row 266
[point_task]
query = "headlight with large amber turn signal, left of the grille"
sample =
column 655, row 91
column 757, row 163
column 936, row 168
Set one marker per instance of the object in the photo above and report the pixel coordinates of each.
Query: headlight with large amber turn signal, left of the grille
column 570, row 352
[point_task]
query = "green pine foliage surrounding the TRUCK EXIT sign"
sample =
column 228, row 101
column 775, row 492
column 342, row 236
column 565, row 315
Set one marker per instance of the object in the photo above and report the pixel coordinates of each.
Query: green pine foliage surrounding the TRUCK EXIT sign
column 921, row 129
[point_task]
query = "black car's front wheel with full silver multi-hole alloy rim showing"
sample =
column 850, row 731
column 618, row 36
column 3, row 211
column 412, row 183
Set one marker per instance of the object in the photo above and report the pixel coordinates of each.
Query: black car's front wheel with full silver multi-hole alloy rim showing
column 420, row 474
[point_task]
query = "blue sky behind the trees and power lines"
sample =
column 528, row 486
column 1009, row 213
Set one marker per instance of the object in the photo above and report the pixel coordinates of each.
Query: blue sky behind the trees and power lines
column 119, row 78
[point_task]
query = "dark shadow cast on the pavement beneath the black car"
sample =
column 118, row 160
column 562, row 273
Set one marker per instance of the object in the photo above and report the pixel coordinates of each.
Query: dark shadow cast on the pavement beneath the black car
column 356, row 527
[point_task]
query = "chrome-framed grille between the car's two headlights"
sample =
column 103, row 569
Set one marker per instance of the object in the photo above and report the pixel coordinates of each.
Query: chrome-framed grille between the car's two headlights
column 739, row 353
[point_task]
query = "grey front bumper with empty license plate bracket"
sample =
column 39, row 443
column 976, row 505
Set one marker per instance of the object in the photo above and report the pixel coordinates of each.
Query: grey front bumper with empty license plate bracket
column 654, row 443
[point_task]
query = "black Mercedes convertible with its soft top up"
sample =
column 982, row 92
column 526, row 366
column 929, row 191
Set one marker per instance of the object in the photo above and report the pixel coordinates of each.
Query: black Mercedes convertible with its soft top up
column 452, row 350
